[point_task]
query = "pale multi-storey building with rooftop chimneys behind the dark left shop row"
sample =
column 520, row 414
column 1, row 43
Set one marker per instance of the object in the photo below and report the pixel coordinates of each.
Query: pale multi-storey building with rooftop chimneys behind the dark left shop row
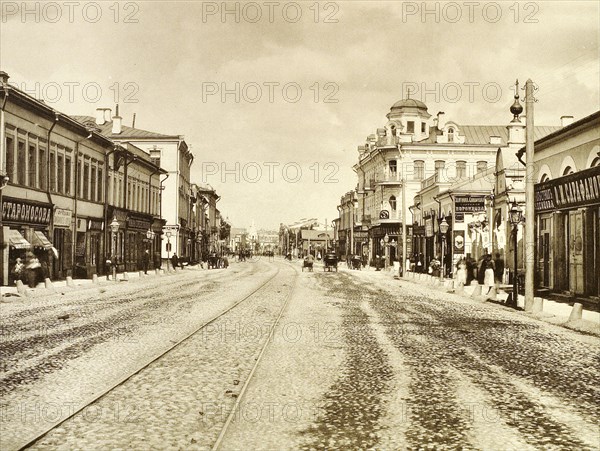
column 171, row 153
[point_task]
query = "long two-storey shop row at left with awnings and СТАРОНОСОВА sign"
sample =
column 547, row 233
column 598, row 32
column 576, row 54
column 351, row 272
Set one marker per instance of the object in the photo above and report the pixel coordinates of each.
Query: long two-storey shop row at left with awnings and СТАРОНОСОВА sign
column 61, row 192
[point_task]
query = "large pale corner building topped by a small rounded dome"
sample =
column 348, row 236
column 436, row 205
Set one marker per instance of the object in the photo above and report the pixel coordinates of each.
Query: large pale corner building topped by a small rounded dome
column 416, row 153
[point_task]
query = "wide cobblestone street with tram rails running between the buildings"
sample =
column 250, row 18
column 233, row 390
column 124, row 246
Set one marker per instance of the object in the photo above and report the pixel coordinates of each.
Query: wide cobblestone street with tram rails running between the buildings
column 348, row 360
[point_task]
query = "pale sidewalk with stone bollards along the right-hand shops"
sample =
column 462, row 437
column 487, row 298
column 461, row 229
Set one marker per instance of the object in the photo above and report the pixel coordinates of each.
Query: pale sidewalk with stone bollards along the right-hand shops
column 553, row 312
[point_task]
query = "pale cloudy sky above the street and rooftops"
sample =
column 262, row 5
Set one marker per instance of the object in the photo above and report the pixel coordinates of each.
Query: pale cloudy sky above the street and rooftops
column 274, row 97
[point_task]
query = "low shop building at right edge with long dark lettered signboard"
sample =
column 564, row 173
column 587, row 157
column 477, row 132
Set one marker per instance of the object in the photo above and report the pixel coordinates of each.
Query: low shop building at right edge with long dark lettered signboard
column 567, row 209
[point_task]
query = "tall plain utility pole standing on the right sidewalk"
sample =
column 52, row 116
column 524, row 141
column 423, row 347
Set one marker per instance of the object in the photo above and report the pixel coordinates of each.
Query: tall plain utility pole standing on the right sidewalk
column 530, row 174
